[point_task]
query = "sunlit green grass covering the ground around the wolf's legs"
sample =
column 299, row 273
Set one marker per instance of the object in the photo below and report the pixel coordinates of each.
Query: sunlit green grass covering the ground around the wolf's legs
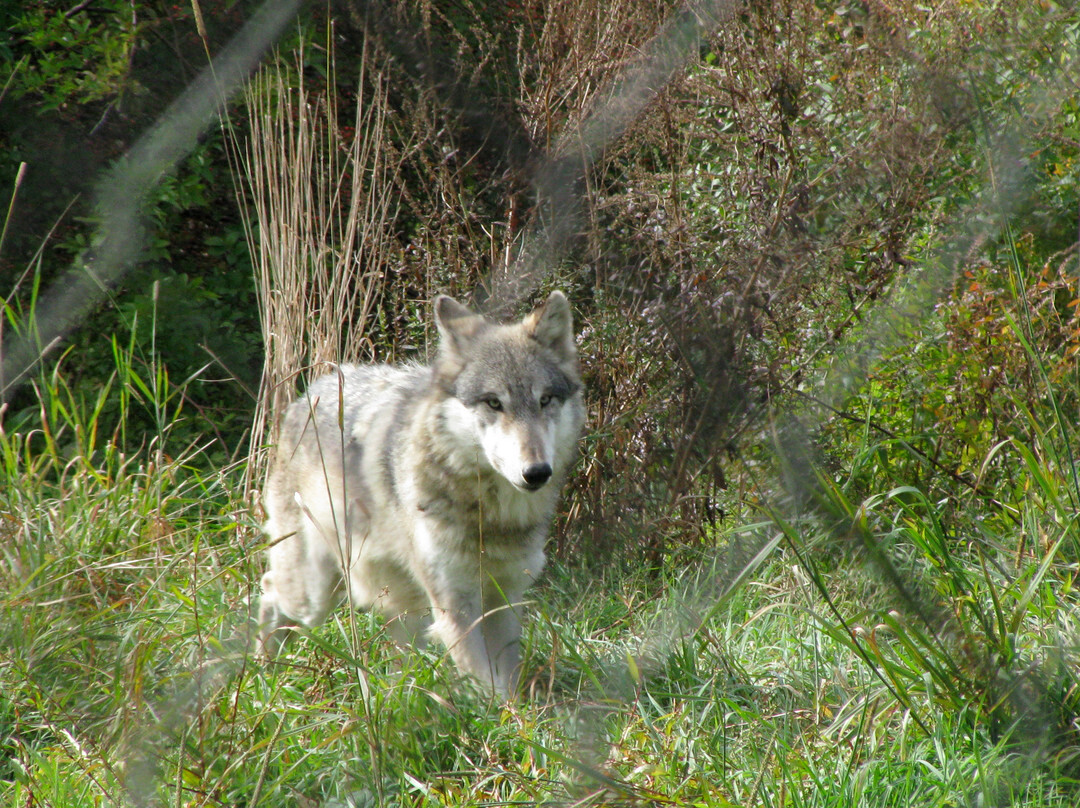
column 827, row 649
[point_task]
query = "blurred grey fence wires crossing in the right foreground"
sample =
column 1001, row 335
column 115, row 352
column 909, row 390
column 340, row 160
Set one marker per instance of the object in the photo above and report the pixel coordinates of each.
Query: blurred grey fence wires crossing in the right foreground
column 801, row 493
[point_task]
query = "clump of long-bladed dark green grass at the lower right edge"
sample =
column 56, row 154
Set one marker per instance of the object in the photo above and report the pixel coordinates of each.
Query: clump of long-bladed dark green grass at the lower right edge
column 968, row 614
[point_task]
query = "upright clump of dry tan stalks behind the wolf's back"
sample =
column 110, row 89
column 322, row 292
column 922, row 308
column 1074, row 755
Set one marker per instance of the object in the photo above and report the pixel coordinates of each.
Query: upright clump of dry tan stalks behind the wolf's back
column 323, row 199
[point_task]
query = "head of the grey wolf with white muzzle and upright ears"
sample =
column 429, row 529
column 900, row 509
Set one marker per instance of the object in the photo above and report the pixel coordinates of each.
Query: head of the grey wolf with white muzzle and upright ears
column 515, row 390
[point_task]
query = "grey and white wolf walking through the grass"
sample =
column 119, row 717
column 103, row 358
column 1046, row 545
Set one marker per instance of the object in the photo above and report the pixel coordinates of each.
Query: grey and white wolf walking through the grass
column 426, row 493
